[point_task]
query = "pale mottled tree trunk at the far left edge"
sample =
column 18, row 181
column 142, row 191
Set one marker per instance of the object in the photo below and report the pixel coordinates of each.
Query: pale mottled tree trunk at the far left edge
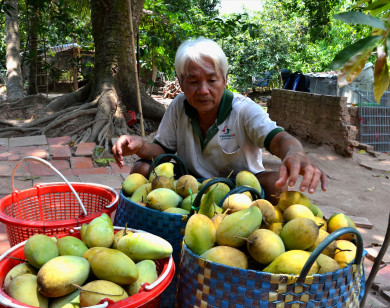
column 14, row 73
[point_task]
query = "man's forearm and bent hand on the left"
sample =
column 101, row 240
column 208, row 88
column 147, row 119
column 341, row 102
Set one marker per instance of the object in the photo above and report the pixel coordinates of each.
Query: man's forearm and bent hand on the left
column 129, row 144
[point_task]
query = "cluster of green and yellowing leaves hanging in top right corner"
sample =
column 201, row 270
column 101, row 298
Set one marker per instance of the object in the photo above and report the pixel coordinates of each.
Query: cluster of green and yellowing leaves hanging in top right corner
column 352, row 58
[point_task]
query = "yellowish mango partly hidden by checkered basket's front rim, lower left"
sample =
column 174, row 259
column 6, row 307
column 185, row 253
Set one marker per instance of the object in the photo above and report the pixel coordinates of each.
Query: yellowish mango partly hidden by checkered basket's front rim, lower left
column 226, row 255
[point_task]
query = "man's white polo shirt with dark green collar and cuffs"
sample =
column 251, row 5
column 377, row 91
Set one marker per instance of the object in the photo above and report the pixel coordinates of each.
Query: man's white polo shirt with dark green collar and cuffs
column 232, row 144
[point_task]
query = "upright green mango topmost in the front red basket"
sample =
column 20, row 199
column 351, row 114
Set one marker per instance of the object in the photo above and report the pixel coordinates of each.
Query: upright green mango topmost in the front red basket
column 99, row 232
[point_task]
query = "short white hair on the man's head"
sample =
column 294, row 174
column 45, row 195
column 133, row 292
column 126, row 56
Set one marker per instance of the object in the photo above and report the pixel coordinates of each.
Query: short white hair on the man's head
column 196, row 50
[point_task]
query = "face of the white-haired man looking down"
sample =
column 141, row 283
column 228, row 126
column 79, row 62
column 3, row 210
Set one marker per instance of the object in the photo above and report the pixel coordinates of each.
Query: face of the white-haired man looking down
column 203, row 86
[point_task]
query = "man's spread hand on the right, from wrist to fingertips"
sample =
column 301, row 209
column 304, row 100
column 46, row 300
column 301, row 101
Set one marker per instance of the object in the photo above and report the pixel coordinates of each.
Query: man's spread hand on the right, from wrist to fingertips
column 299, row 164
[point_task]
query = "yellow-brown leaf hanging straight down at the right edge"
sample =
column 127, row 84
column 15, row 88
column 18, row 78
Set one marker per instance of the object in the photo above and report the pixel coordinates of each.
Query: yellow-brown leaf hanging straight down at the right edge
column 381, row 74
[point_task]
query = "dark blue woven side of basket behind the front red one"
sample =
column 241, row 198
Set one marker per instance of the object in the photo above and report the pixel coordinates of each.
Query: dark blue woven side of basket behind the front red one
column 168, row 226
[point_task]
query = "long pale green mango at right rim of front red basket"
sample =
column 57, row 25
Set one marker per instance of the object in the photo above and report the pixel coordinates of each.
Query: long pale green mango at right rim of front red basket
column 144, row 246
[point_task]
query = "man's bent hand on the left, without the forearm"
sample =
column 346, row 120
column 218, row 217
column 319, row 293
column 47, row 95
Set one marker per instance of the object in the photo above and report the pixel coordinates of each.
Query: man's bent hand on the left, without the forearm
column 126, row 145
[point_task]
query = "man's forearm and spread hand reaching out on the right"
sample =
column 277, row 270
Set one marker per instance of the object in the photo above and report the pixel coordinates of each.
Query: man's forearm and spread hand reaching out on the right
column 295, row 163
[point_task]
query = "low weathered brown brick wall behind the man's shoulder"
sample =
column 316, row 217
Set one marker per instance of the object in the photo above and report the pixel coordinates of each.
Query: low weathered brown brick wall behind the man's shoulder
column 320, row 119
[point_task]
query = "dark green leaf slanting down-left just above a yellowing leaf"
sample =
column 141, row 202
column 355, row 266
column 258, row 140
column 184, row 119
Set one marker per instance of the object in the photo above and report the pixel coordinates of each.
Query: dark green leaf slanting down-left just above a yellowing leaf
column 349, row 51
